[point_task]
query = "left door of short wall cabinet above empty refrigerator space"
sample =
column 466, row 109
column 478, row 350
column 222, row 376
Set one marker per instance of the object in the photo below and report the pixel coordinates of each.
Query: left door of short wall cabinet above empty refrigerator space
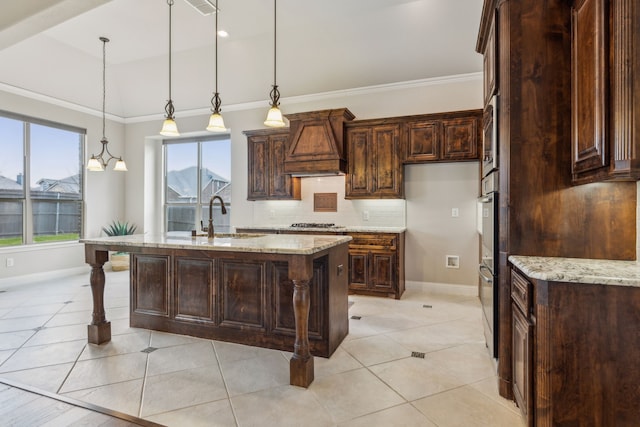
column 423, row 141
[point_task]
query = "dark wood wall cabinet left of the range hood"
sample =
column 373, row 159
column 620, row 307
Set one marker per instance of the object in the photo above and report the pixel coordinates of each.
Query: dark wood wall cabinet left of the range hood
column 266, row 178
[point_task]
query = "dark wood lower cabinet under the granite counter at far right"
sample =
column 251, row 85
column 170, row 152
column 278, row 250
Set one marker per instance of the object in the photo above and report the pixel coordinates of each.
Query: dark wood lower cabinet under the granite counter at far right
column 576, row 348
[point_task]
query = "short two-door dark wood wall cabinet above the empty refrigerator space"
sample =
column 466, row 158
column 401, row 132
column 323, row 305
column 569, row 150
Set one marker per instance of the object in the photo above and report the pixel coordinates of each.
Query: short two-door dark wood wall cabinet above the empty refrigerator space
column 445, row 137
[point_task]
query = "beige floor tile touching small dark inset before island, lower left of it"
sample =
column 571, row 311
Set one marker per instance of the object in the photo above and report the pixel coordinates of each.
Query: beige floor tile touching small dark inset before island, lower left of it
column 106, row 370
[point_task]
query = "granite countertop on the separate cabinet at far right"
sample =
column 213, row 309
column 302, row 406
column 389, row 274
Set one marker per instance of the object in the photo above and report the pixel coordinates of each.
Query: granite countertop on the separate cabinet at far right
column 579, row 270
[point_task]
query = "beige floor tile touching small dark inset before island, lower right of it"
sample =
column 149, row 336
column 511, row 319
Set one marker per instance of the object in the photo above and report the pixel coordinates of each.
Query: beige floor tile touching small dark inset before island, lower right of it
column 186, row 356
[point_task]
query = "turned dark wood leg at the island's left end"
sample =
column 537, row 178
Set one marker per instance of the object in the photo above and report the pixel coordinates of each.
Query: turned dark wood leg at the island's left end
column 99, row 331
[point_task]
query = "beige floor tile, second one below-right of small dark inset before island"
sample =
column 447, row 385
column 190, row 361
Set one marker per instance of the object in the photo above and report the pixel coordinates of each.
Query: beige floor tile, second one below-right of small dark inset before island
column 188, row 388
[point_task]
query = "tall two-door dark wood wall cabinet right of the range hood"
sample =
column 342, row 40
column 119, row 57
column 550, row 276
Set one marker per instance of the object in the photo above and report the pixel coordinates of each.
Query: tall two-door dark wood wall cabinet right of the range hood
column 374, row 167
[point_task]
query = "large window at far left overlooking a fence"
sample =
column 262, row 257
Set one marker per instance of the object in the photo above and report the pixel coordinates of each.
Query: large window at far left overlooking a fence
column 41, row 194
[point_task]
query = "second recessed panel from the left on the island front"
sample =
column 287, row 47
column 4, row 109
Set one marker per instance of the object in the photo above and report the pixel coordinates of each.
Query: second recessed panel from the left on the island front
column 195, row 289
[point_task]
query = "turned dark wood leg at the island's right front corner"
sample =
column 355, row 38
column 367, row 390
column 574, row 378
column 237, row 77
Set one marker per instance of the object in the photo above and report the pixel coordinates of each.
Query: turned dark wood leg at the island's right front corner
column 301, row 363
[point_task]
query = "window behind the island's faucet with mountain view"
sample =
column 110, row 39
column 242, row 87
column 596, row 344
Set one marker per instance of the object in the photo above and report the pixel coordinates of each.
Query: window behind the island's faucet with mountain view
column 195, row 171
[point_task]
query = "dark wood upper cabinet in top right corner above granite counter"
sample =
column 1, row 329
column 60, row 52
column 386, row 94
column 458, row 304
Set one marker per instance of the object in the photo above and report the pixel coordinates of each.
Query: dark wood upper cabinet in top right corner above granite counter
column 605, row 96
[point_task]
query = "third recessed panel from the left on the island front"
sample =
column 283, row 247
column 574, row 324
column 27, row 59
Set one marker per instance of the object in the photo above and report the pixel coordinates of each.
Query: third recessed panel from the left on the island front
column 243, row 293
